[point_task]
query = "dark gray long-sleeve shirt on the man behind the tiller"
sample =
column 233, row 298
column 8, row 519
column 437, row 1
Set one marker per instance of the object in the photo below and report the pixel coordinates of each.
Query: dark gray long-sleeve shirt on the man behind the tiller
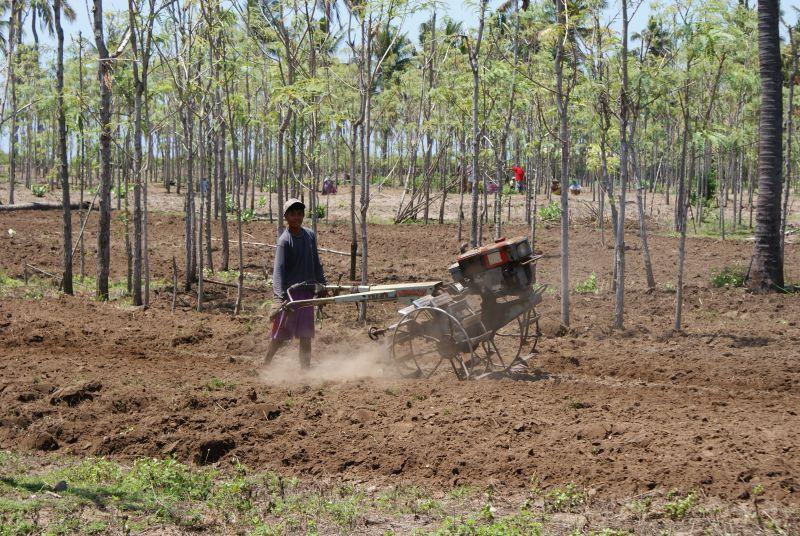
column 296, row 261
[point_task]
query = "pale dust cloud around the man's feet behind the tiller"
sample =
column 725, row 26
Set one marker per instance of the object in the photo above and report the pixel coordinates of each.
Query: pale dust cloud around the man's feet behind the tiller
column 339, row 363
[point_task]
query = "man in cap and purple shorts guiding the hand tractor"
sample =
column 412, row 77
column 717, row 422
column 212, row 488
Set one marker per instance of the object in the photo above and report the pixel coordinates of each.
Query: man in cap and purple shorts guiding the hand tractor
column 296, row 261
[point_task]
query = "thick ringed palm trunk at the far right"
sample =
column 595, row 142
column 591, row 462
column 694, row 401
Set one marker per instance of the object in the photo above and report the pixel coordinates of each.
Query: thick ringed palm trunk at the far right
column 766, row 266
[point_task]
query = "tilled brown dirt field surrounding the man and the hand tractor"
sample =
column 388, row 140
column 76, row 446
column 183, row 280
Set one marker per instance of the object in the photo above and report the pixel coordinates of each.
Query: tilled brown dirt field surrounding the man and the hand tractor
column 620, row 414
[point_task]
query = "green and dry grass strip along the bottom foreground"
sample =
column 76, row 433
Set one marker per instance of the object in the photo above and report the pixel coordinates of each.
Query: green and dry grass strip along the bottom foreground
column 62, row 495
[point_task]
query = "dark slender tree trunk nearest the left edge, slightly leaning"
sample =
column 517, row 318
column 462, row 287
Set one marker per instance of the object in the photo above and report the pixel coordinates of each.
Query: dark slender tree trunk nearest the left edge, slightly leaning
column 63, row 170
